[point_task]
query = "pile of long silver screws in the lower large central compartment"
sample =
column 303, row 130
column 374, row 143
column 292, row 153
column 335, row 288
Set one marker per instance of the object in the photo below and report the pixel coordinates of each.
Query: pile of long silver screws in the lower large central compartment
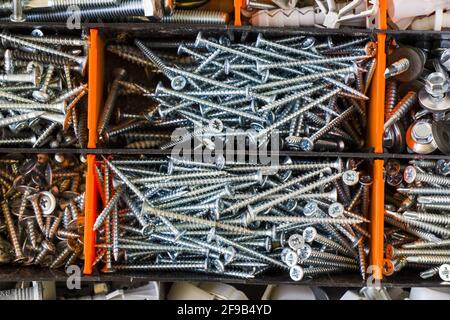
column 306, row 218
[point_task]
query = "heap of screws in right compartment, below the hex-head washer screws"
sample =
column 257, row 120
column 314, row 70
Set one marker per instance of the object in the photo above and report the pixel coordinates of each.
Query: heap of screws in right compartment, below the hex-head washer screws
column 417, row 216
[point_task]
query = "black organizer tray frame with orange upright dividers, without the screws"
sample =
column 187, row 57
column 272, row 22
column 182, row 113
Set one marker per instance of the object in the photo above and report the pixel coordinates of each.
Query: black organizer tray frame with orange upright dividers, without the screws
column 99, row 34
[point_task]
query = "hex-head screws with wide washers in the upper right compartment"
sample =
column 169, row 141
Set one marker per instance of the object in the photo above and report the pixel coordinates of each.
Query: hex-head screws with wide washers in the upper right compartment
column 417, row 102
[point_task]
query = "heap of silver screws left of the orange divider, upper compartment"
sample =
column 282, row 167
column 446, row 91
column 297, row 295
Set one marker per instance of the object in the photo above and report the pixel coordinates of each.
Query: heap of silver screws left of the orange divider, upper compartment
column 43, row 99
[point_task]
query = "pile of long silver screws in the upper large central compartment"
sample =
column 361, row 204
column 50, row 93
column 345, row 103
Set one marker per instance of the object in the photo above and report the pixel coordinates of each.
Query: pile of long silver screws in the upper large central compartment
column 311, row 92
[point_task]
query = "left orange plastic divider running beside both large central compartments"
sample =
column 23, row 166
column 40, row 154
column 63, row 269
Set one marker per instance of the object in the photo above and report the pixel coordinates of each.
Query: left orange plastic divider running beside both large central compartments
column 96, row 67
